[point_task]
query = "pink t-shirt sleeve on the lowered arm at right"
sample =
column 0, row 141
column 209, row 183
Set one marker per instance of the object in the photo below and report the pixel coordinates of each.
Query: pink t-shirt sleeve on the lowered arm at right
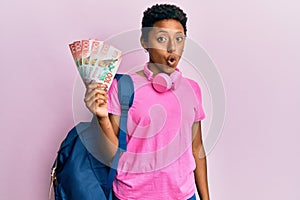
column 198, row 109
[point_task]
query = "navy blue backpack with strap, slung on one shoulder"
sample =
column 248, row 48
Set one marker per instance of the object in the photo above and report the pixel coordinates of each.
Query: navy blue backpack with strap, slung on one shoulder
column 76, row 173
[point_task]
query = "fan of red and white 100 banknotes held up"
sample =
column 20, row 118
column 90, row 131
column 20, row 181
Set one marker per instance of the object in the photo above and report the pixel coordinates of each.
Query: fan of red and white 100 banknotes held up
column 97, row 61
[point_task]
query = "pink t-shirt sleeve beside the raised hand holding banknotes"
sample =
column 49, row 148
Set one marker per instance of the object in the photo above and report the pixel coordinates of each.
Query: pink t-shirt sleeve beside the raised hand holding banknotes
column 113, row 104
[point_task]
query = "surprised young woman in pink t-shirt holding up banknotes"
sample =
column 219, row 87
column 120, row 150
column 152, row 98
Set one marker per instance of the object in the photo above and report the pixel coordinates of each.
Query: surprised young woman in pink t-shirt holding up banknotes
column 165, row 156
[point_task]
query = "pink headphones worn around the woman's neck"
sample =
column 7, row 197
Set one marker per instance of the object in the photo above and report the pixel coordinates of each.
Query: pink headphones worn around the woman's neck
column 163, row 82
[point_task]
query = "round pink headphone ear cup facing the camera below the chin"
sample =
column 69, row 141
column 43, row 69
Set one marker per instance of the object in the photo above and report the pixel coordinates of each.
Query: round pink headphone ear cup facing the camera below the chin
column 162, row 82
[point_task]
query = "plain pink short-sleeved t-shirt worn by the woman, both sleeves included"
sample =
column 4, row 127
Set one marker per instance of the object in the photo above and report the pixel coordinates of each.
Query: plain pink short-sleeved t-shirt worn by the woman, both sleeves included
column 159, row 163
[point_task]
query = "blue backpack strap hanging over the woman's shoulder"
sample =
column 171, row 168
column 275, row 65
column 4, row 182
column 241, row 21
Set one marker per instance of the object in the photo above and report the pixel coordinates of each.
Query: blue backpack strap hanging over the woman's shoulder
column 125, row 95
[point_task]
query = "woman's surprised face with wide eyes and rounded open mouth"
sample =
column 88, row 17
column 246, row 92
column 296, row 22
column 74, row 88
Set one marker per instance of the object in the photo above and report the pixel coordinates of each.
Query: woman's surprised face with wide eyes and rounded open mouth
column 165, row 45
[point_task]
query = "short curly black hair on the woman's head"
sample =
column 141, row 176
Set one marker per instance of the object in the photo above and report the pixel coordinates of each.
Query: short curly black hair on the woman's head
column 160, row 12
